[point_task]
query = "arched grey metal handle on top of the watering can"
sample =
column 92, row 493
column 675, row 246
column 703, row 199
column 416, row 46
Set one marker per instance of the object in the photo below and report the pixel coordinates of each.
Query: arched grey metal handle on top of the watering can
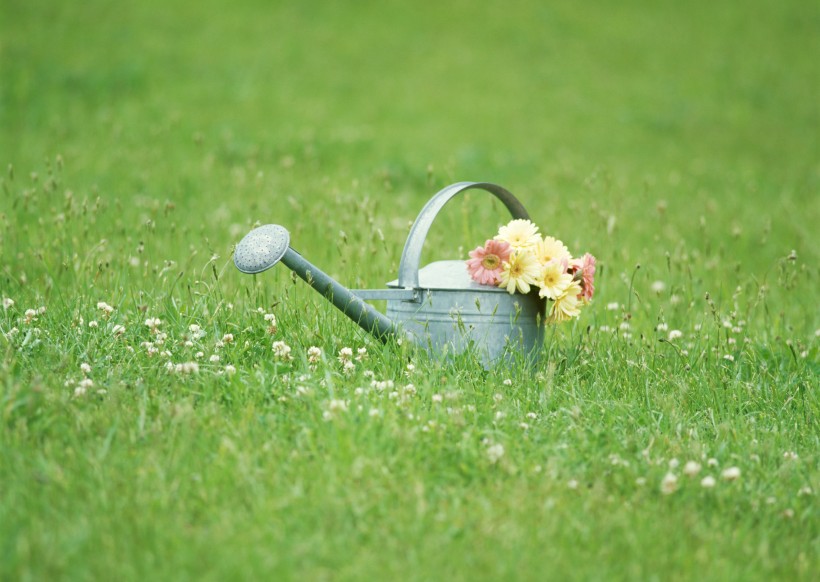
column 411, row 256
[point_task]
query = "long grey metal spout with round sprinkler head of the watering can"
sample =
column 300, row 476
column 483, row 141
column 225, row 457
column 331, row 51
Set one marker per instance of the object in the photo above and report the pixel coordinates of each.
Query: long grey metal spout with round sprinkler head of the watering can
column 265, row 246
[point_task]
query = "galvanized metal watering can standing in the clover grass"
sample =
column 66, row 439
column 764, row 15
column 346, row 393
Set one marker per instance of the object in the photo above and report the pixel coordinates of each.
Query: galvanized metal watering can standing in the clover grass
column 439, row 307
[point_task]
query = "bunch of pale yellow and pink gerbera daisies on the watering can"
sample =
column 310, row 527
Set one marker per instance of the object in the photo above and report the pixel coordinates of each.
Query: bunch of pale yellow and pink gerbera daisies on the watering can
column 520, row 259
